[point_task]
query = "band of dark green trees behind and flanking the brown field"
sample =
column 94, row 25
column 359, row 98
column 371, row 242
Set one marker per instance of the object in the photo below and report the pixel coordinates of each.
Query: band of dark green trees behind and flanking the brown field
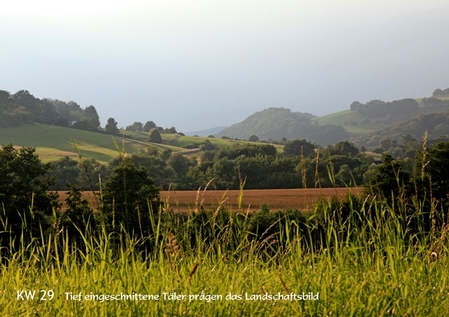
column 128, row 188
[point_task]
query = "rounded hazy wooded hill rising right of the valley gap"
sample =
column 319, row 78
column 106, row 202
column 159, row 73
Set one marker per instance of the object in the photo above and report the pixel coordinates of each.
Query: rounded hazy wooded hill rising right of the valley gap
column 279, row 123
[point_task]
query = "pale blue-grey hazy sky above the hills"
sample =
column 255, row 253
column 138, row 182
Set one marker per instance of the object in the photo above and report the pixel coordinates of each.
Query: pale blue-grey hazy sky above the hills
column 197, row 64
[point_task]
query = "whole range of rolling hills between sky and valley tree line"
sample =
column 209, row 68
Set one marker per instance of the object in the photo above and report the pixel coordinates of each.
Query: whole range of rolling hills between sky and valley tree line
column 59, row 128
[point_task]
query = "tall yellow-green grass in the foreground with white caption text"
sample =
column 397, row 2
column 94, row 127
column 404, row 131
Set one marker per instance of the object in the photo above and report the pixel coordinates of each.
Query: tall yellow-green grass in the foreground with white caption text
column 359, row 256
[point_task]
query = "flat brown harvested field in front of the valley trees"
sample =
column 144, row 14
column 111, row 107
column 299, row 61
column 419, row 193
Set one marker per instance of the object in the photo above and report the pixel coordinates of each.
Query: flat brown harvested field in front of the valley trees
column 185, row 201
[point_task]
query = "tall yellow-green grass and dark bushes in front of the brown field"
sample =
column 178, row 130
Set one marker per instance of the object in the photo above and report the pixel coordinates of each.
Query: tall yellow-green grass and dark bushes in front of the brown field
column 383, row 253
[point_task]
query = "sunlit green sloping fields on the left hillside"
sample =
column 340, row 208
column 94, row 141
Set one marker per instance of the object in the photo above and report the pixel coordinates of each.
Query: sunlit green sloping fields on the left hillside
column 52, row 142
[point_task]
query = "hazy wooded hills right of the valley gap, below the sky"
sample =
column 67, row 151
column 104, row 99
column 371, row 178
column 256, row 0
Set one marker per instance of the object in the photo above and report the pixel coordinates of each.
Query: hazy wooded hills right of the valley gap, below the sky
column 365, row 124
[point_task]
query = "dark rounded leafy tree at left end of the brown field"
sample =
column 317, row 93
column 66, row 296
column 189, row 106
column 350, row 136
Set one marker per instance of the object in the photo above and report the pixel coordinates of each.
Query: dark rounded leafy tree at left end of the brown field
column 129, row 199
